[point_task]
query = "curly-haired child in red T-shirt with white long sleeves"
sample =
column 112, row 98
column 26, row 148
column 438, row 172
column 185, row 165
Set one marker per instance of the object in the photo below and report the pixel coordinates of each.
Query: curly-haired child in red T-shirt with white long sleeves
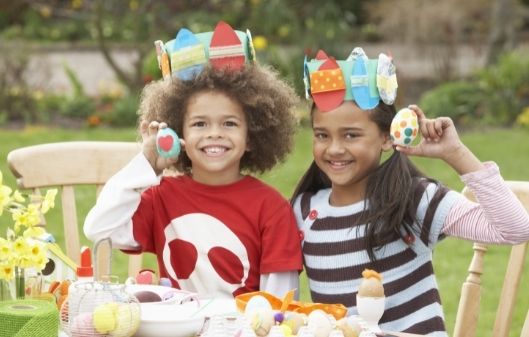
column 214, row 230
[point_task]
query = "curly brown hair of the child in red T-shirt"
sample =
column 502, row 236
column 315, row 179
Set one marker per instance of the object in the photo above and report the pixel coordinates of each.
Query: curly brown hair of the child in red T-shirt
column 266, row 100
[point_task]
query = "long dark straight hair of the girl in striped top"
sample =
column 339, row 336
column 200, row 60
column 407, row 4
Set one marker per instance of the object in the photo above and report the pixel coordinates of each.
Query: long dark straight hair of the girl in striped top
column 391, row 211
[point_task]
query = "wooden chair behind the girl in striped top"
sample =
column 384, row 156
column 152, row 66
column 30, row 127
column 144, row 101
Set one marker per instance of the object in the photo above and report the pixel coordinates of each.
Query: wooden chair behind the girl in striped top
column 469, row 303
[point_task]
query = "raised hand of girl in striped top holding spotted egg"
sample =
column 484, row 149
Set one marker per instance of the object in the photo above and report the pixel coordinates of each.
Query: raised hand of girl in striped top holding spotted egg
column 440, row 140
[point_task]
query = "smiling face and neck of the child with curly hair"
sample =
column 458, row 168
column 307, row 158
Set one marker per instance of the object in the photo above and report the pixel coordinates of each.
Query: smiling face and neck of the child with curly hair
column 215, row 133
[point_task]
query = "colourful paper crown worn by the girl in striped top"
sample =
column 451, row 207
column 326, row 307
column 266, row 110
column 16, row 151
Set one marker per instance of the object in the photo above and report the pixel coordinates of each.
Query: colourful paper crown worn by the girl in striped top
column 365, row 81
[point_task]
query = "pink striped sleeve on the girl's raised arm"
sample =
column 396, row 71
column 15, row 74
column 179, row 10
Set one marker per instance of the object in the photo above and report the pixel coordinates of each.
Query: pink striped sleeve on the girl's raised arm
column 499, row 217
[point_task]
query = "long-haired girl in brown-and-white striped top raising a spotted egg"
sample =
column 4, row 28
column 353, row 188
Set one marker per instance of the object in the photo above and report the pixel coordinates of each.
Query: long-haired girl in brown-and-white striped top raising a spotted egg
column 356, row 212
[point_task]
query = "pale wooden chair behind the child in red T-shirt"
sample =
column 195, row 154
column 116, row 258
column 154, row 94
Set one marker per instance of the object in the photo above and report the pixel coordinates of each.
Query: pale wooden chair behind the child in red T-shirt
column 67, row 165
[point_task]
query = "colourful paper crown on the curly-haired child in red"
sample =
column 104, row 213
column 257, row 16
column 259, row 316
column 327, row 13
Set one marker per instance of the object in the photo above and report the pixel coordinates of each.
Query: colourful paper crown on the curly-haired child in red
column 186, row 55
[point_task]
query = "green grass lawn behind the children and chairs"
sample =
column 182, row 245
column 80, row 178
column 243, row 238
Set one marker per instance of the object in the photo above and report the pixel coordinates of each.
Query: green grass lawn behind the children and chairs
column 508, row 148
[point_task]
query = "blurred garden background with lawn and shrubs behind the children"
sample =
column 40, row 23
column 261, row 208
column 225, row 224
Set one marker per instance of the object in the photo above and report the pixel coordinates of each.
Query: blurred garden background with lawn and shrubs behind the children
column 73, row 70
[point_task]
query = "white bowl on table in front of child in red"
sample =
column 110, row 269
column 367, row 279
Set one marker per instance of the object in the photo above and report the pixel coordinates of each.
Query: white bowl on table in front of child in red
column 181, row 320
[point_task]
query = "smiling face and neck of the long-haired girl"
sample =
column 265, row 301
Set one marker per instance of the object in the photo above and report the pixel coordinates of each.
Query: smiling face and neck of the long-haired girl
column 347, row 146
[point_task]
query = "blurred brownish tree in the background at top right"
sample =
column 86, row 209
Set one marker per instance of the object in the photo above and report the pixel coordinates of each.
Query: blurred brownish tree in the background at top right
column 433, row 28
